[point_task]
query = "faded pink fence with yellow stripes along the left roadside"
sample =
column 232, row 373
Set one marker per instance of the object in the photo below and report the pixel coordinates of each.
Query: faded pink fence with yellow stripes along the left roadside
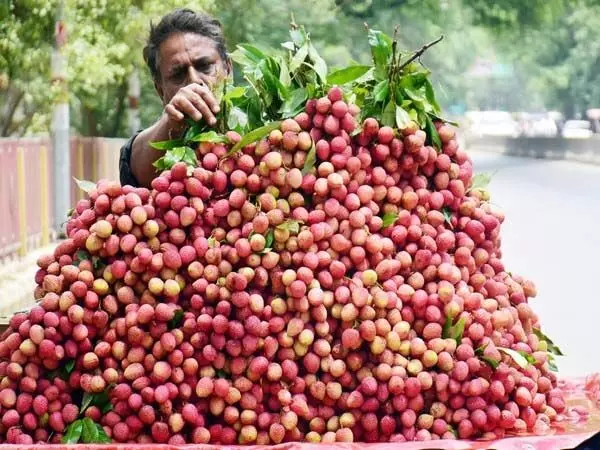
column 26, row 189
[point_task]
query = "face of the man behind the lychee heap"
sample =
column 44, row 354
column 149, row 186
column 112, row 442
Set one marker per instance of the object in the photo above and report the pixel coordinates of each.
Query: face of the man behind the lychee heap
column 186, row 58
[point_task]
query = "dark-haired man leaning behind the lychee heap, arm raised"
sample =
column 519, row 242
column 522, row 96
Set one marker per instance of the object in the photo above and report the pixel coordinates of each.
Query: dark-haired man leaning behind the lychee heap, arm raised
column 186, row 55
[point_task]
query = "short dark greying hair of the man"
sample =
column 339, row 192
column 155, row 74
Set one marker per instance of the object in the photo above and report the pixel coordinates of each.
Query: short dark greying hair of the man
column 182, row 21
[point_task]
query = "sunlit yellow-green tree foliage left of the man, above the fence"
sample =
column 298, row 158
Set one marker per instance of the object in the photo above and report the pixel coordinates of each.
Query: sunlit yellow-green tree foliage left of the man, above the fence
column 105, row 40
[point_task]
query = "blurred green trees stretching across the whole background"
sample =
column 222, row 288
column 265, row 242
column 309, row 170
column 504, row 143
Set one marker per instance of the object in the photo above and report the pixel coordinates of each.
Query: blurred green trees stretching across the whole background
column 538, row 54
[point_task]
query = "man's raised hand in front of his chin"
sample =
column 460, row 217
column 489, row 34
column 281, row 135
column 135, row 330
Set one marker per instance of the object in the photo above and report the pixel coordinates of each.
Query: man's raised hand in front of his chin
column 195, row 101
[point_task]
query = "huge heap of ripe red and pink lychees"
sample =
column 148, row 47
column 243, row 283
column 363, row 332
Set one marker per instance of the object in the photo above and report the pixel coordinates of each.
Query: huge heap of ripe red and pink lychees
column 339, row 279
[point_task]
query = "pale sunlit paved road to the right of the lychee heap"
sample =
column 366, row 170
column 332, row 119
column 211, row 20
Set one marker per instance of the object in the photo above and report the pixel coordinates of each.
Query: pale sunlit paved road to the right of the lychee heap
column 552, row 236
